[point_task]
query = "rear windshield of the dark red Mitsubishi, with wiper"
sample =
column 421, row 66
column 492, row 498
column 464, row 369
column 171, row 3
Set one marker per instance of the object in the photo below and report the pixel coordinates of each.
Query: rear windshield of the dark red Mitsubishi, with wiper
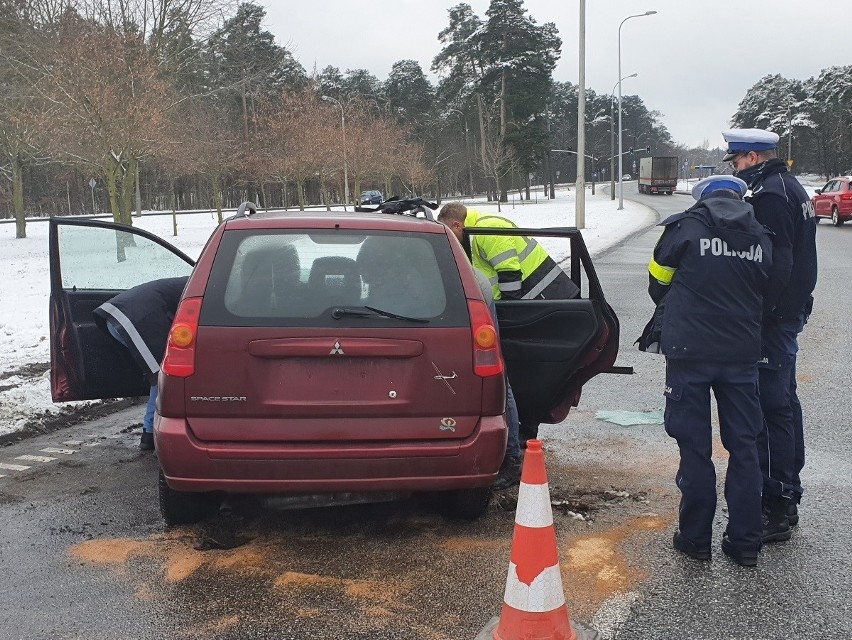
column 333, row 278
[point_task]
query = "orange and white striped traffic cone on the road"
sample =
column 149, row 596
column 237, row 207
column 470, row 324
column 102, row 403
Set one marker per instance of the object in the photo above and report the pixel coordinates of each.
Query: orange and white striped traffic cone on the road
column 534, row 601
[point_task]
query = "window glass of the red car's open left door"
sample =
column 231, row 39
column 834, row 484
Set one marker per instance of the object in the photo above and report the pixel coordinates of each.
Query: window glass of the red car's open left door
column 107, row 258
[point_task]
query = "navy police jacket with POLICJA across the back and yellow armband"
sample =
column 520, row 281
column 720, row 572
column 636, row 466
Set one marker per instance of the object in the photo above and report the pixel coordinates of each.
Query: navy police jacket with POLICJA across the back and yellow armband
column 708, row 277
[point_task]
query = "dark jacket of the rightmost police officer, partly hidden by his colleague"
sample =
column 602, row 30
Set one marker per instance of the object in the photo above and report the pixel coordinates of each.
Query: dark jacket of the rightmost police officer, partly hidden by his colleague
column 783, row 206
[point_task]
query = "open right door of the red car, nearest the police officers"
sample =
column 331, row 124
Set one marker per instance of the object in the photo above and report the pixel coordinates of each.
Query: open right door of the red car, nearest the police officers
column 553, row 347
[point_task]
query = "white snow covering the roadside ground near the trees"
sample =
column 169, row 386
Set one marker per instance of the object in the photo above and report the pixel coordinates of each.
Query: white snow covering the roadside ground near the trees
column 25, row 287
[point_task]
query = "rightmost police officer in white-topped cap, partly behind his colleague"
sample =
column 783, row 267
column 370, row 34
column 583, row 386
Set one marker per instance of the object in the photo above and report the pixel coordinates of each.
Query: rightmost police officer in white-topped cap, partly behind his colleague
column 781, row 204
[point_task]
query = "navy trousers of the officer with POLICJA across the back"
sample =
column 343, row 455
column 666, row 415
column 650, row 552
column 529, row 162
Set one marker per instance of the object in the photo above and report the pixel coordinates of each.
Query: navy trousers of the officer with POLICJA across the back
column 688, row 420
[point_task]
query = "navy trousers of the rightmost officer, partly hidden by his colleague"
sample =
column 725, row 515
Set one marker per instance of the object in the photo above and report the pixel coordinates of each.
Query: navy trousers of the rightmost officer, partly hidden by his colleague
column 781, row 442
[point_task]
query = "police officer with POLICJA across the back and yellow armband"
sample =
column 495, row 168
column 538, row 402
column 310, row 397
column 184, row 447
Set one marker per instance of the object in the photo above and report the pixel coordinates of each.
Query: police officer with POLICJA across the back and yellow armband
column 707, row 277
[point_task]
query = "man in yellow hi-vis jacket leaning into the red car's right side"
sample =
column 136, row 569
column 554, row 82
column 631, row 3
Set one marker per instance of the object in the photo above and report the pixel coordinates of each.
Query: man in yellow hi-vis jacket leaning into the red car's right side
column 518, row 267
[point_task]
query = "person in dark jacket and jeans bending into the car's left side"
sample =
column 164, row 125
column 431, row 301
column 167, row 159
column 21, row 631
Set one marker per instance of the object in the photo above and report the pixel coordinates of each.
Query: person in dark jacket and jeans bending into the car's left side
column 140, row 319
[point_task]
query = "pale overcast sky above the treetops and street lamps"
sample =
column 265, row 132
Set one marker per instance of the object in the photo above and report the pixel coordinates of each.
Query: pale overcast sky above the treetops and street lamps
column 695, row 60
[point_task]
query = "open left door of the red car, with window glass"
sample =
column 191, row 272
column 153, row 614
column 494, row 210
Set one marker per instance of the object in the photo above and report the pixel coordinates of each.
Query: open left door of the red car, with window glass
column 90, row 262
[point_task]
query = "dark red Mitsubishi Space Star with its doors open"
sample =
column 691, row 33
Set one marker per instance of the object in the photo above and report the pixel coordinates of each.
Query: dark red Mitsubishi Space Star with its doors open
column 325, row 354
